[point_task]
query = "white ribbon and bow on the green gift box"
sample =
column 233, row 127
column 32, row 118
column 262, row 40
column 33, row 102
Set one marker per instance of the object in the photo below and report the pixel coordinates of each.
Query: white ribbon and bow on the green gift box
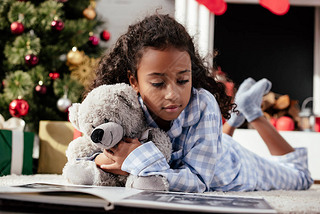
column 16, row 125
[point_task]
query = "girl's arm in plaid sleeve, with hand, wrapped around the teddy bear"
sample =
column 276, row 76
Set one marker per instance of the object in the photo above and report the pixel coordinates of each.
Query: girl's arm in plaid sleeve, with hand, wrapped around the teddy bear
column 195, row 161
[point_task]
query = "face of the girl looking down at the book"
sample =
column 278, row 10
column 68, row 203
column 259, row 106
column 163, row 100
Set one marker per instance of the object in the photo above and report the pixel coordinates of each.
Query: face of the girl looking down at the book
column 164, row 81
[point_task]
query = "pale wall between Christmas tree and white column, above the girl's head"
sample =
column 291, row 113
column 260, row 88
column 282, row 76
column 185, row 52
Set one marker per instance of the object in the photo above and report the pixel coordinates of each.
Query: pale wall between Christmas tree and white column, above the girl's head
column 119, row 14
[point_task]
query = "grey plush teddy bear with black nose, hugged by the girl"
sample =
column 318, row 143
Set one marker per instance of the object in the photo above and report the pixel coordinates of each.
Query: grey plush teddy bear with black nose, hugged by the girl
column 107, row 115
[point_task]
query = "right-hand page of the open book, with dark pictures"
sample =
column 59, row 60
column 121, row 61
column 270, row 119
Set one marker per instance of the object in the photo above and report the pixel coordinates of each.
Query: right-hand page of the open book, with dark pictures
column 197, row 202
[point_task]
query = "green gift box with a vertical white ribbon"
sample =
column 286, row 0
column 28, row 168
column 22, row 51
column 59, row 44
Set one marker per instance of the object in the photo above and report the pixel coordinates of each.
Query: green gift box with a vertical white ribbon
column 16, row 149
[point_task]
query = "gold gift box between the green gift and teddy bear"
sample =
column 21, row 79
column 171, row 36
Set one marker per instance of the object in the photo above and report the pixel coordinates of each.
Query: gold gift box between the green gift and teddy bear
column 54, row 137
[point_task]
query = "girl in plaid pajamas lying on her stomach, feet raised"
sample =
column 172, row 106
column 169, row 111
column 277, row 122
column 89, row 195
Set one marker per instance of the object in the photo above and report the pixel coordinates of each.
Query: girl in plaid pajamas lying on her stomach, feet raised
column 179, row 95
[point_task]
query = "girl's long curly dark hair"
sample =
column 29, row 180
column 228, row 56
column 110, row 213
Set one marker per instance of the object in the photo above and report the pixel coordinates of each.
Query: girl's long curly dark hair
column 158, row 32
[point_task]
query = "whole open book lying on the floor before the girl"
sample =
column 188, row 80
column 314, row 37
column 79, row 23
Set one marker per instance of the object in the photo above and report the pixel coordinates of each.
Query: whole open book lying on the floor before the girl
column 49, row 196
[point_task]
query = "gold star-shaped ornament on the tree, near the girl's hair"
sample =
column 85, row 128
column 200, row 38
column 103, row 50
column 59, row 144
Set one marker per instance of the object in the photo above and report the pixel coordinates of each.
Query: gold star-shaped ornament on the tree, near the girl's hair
column 84, row 72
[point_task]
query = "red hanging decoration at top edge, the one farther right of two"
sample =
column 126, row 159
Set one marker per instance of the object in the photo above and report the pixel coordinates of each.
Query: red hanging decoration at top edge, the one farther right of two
column 278, row 7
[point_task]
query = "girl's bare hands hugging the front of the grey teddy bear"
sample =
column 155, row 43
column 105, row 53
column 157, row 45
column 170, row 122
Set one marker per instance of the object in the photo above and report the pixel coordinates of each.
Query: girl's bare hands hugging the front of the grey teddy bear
column 118, row 154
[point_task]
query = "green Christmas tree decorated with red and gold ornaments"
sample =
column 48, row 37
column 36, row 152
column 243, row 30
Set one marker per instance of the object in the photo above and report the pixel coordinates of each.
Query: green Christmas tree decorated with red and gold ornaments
column 48, row 50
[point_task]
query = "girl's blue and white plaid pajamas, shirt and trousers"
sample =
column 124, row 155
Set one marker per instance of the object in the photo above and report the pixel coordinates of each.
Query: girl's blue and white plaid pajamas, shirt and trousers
column 204, row 159
